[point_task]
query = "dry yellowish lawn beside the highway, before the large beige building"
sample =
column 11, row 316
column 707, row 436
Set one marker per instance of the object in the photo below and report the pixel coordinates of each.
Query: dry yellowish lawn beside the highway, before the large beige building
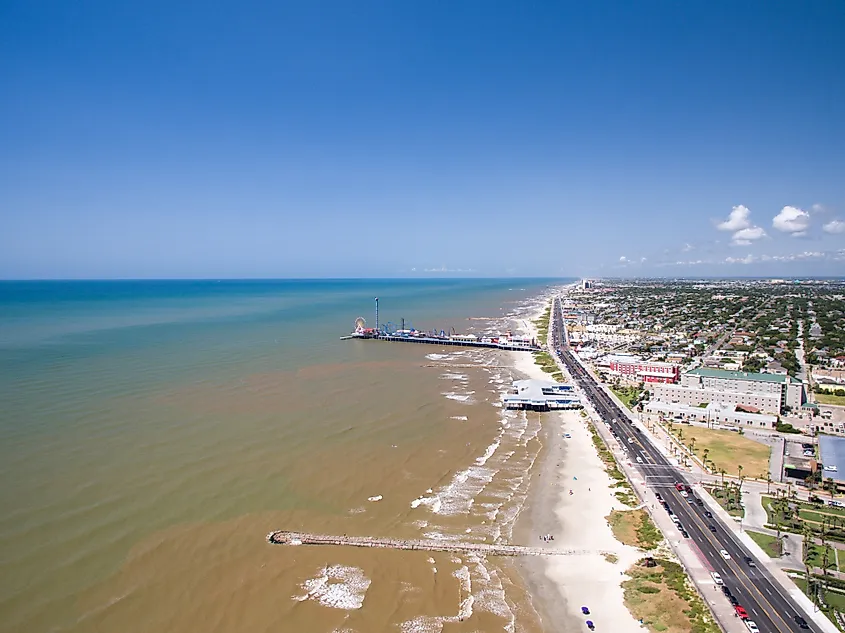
column 728, row 450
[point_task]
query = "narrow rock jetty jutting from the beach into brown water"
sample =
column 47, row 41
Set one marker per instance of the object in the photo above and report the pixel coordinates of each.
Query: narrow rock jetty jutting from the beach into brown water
column 282, row 537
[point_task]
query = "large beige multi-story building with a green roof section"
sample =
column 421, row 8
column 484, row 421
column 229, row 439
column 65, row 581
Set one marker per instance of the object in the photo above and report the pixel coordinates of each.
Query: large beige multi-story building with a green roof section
column 770, row 393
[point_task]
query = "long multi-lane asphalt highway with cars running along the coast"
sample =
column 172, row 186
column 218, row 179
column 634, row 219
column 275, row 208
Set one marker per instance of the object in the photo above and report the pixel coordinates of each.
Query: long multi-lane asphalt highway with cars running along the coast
column 754, row 587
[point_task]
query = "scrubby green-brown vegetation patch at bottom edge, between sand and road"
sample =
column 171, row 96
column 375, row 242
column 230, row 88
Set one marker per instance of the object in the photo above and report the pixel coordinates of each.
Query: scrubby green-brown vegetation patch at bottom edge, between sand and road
column 662, row 598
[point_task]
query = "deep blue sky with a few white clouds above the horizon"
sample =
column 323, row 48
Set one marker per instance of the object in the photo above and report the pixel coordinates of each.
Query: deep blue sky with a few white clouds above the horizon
column 311, row 139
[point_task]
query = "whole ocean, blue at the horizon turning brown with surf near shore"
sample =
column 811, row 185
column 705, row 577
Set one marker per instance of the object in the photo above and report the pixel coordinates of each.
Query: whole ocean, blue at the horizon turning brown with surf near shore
column 153, row 432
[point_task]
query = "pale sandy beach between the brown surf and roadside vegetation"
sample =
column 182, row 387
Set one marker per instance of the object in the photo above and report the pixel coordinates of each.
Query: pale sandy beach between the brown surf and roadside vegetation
column 561, row 586
